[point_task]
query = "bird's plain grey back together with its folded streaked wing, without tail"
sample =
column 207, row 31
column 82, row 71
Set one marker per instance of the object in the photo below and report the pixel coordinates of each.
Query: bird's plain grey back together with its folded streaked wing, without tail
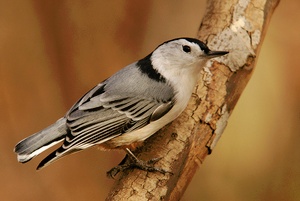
column 115, row 107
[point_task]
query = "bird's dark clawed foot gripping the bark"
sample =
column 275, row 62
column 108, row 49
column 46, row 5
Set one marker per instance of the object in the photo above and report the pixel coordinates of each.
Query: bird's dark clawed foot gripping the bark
column 131, row 161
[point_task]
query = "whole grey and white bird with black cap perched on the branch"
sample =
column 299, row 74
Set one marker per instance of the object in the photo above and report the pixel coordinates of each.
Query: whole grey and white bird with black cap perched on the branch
column 127, row 107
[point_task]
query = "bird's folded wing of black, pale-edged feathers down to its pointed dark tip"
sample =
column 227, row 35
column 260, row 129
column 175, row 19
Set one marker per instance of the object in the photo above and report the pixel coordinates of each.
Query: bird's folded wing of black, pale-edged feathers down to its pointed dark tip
column 98, row 117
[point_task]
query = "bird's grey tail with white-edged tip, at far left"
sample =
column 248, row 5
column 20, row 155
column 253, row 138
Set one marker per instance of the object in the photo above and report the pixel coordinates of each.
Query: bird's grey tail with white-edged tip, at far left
column 40, row 141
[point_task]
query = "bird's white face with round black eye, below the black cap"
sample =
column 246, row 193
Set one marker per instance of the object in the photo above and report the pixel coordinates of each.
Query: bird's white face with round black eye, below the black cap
column 178, row 54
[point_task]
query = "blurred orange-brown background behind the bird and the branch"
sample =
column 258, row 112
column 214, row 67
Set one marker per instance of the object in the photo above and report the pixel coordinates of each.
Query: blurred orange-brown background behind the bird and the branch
column 52, row 52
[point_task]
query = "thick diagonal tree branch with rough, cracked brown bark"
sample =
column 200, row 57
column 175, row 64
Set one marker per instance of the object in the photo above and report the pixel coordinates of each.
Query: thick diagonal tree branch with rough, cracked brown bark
column 238, row 26
